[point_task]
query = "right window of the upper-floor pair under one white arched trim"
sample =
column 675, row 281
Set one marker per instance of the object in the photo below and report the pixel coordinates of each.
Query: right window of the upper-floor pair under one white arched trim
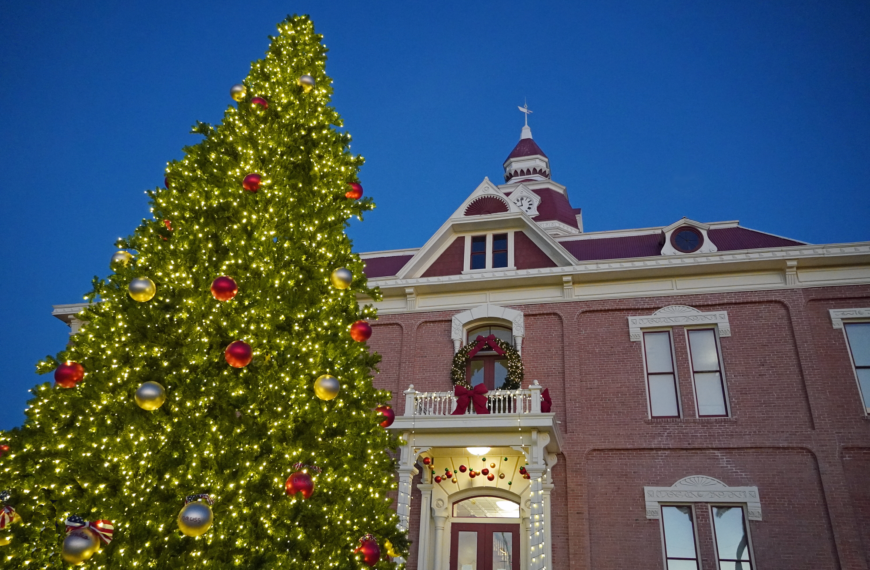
column 707, row 373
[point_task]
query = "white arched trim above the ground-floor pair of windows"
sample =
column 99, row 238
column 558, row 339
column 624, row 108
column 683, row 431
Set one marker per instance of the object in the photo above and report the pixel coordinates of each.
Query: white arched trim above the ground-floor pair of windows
column 702, row 489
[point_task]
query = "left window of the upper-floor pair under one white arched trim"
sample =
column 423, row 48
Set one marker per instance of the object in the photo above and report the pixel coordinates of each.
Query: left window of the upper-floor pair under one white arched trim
column 661, row 378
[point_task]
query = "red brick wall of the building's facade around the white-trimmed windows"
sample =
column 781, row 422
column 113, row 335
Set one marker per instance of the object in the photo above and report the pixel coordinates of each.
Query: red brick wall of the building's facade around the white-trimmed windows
column 797, row 429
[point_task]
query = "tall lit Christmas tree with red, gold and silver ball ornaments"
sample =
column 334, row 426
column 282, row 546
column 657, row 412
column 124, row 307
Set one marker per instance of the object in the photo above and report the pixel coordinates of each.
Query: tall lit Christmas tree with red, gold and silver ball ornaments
column 223, row 361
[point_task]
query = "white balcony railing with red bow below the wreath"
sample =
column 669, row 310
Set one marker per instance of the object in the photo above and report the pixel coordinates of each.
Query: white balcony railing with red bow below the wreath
column 498, row 402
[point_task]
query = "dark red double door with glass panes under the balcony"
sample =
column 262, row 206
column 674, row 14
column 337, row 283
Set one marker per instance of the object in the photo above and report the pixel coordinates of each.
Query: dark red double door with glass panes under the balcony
column 484, row 546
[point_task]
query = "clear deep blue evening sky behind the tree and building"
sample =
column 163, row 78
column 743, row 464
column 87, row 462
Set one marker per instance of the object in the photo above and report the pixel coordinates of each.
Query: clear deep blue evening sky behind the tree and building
column 649, row 111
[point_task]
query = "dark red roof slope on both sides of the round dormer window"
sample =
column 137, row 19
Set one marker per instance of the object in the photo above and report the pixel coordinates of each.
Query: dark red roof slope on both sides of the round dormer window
column 650, row 245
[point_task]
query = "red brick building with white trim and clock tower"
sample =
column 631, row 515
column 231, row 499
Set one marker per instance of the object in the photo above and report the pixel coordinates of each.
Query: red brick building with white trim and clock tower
column 692, row 394
